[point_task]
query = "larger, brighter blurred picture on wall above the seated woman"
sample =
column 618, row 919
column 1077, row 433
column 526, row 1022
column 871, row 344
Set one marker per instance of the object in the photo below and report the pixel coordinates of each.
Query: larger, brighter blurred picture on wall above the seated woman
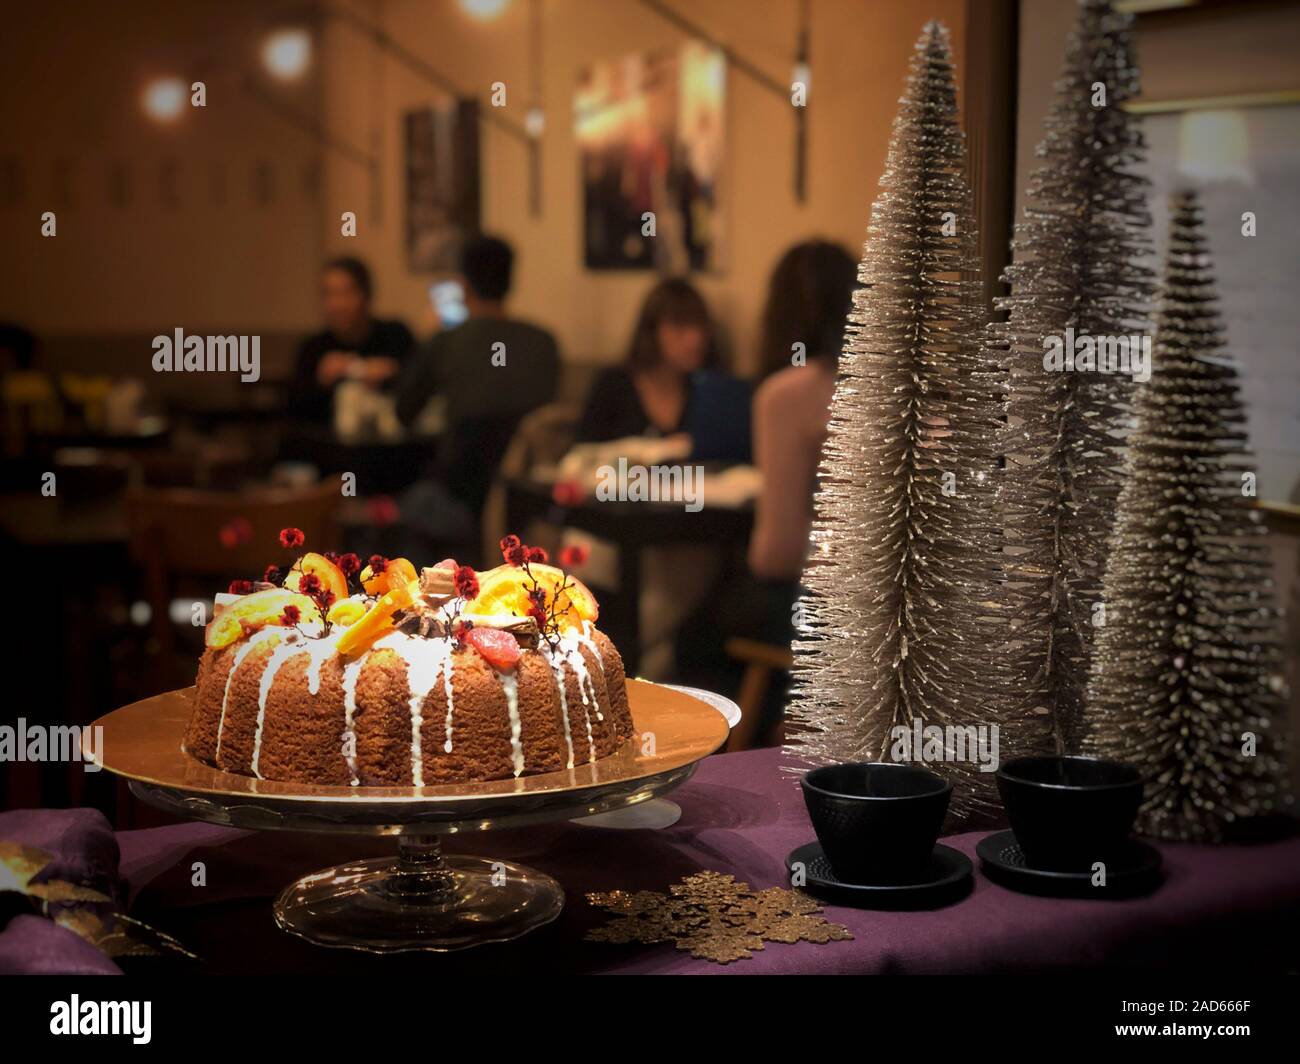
column 651, row 131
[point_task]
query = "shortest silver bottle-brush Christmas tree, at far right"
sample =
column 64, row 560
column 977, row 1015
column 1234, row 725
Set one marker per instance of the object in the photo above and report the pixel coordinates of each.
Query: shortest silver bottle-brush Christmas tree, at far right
column 1188, row 674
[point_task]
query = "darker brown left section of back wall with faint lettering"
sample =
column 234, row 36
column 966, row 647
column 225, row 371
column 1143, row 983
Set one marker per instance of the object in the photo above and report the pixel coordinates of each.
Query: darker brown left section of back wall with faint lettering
column 216, row 257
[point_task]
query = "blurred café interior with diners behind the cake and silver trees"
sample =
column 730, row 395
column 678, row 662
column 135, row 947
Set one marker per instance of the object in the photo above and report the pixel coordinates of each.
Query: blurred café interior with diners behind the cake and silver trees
column 383, row 191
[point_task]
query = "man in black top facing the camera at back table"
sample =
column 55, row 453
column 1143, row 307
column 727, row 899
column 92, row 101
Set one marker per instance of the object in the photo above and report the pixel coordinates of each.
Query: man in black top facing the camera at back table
column 354, row 347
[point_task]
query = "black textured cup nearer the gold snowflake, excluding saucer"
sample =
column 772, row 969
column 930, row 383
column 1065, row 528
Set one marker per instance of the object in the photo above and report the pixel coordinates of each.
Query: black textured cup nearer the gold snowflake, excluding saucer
column 878, row 823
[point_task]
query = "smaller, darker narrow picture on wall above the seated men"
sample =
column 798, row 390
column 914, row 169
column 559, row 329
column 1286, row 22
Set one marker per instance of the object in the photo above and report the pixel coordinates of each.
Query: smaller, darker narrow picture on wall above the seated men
column 443, row 187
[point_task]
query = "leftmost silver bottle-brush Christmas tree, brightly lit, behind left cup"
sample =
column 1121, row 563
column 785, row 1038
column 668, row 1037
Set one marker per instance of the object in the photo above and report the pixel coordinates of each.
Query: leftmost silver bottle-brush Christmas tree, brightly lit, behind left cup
column 890, row 635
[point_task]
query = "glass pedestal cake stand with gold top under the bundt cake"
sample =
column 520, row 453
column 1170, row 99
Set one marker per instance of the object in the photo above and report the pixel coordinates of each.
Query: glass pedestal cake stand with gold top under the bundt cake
column 421, row 899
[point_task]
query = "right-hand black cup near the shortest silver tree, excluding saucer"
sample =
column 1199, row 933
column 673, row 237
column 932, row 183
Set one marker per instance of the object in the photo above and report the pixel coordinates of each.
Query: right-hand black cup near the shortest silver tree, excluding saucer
column 1069, row 812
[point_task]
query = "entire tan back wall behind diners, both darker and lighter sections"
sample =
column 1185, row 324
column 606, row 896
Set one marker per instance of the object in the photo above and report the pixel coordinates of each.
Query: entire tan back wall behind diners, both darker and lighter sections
column 231, row 262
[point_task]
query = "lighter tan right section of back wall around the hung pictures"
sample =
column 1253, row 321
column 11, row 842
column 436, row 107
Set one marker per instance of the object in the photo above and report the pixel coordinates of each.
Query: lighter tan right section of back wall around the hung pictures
column 860, row 57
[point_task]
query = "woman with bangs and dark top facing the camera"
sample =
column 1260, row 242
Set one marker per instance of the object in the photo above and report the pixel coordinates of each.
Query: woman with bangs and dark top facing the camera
column 673, row 383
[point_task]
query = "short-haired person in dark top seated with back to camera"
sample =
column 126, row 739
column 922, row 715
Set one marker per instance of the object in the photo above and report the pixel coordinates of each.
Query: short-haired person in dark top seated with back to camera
column 489, row 371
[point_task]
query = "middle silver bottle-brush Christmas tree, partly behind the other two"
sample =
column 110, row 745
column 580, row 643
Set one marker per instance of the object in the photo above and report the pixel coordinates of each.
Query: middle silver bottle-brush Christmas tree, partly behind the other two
column 1077, row 275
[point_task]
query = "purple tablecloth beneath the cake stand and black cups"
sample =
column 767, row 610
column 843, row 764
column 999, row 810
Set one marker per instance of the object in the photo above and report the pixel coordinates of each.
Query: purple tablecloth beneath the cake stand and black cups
column 1234, row 906
